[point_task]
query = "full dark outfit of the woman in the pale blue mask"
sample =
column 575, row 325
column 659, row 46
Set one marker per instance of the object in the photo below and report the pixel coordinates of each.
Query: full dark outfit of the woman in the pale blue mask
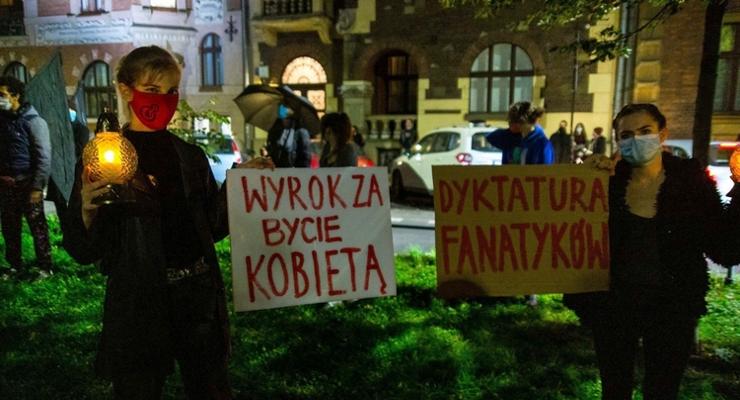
column 663, row 303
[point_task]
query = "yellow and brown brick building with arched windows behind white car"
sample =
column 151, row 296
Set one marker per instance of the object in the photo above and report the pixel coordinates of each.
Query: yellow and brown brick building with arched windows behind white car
column 349, row 39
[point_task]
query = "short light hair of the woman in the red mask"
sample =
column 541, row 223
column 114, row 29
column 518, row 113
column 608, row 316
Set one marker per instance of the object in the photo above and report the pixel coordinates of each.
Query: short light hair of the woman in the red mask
column 145, row 62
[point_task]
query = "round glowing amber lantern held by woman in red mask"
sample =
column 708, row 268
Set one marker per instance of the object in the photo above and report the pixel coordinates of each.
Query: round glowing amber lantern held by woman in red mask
column 111, row 157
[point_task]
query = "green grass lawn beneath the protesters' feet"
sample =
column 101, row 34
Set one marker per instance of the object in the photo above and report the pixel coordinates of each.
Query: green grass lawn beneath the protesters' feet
column 412, row 346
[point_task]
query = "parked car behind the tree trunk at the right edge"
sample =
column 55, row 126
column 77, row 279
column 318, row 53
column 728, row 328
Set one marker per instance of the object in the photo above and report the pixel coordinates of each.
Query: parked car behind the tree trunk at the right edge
column 719, row 158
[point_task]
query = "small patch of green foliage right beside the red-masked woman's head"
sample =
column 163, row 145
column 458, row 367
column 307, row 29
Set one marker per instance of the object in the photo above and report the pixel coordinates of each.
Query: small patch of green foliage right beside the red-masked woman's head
column 183, row 125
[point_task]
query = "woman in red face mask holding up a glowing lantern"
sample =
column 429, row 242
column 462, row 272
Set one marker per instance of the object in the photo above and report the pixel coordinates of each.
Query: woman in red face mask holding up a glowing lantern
column 165, row 297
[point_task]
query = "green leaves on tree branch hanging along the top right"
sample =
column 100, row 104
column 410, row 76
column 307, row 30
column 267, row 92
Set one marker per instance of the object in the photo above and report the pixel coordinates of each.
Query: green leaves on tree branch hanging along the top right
column 577, row 14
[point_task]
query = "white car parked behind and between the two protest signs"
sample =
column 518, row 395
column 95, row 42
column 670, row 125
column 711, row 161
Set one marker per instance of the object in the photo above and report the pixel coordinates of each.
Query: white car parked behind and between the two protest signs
column 445, row 146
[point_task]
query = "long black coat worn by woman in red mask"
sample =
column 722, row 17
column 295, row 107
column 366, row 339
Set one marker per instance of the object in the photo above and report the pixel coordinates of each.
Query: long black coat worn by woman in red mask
column 127, row 245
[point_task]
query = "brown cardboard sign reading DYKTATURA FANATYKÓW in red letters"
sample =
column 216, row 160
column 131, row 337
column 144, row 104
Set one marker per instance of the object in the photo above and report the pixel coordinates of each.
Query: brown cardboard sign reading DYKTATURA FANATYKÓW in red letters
column 511, row 230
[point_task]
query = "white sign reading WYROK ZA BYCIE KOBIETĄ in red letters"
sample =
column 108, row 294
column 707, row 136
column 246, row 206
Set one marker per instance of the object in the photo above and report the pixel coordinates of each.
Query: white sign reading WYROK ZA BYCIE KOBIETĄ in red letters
column 301, row 236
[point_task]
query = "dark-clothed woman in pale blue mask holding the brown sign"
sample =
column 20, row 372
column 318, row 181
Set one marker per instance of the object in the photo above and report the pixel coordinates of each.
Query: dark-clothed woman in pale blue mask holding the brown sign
column 665, row 215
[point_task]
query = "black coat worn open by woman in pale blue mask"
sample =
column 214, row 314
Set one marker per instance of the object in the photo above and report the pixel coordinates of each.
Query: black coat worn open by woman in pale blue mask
column 691, row 222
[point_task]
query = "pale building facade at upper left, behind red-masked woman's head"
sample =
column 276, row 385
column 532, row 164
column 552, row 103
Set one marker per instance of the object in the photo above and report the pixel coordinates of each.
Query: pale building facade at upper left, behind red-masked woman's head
column 93, row 35
